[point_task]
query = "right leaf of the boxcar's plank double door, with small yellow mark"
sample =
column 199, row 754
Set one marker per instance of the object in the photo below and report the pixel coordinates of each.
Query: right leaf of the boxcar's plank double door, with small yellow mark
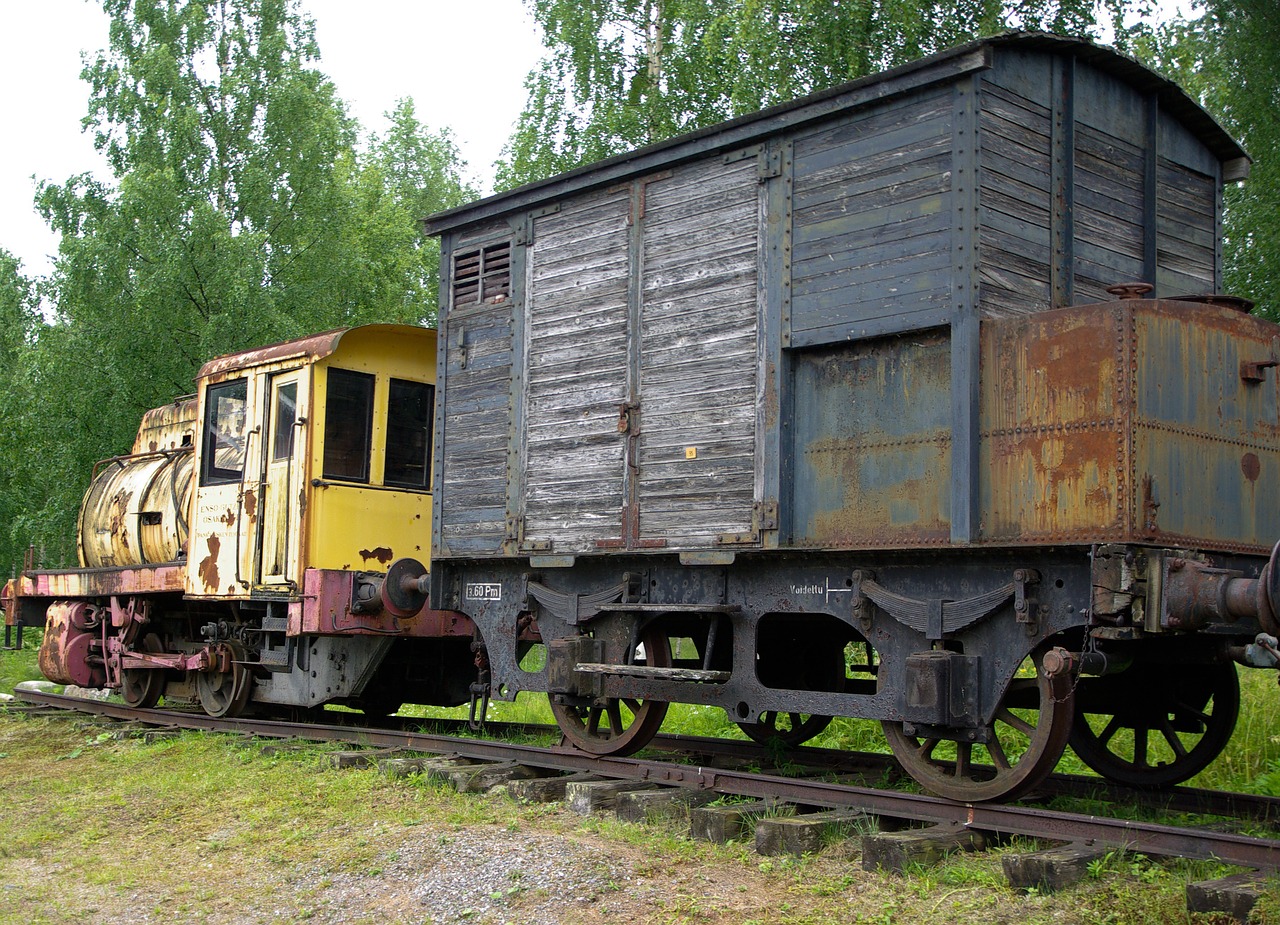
column 698, row 361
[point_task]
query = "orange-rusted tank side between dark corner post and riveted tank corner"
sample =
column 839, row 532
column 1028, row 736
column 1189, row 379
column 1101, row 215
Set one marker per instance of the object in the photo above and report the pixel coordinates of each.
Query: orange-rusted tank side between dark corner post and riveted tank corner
column 1054, row 427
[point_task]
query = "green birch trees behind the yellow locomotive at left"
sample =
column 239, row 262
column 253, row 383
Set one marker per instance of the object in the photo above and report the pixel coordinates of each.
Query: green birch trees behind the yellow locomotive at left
column 243, row 212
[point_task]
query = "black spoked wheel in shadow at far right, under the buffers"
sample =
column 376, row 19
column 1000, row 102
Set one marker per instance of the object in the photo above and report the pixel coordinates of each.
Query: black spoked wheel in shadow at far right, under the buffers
column 1172, row 722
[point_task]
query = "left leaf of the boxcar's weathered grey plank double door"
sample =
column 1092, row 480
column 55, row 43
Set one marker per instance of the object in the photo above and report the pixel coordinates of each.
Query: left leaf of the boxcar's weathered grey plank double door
column 577, row 373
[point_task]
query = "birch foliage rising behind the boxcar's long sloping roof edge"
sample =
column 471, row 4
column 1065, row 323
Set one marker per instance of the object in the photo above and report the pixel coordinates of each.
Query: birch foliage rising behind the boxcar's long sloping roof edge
column 625, row 74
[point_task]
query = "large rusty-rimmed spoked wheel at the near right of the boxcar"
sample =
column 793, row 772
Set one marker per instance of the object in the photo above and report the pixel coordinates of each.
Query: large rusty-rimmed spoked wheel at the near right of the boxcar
column 1026, row 741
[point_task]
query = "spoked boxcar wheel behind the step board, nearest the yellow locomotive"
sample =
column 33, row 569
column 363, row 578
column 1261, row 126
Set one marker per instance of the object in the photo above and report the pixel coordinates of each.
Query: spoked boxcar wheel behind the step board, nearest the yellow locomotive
column 621, row 726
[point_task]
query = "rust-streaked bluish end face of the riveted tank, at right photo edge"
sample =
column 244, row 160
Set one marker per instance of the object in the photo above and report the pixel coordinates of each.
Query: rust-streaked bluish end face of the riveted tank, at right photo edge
column 1206, row 431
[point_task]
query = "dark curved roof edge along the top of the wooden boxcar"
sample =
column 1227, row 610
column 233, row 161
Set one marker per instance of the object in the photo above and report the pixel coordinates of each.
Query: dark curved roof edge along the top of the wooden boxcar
column 880, row 86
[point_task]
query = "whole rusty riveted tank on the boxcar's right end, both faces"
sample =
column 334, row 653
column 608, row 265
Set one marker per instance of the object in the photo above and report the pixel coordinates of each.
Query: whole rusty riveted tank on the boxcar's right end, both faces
column 1119, row 422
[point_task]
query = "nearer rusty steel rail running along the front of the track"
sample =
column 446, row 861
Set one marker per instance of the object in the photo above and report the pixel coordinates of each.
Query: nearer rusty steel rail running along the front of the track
column 1150, row 839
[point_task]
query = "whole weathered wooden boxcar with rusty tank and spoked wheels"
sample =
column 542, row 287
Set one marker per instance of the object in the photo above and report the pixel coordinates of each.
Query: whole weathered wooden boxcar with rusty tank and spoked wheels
column 833, row 410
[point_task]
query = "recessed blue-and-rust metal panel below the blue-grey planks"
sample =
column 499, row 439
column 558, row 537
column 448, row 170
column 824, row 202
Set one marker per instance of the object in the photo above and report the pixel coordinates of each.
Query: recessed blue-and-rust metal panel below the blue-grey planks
column 874, row 445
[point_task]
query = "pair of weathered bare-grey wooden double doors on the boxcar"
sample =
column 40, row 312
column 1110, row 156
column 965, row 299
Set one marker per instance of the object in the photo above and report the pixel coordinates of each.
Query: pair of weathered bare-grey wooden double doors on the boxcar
column 641, row 413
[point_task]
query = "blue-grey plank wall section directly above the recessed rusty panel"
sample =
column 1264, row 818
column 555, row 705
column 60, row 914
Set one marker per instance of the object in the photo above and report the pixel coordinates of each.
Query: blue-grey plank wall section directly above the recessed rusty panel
column 872, row 222
